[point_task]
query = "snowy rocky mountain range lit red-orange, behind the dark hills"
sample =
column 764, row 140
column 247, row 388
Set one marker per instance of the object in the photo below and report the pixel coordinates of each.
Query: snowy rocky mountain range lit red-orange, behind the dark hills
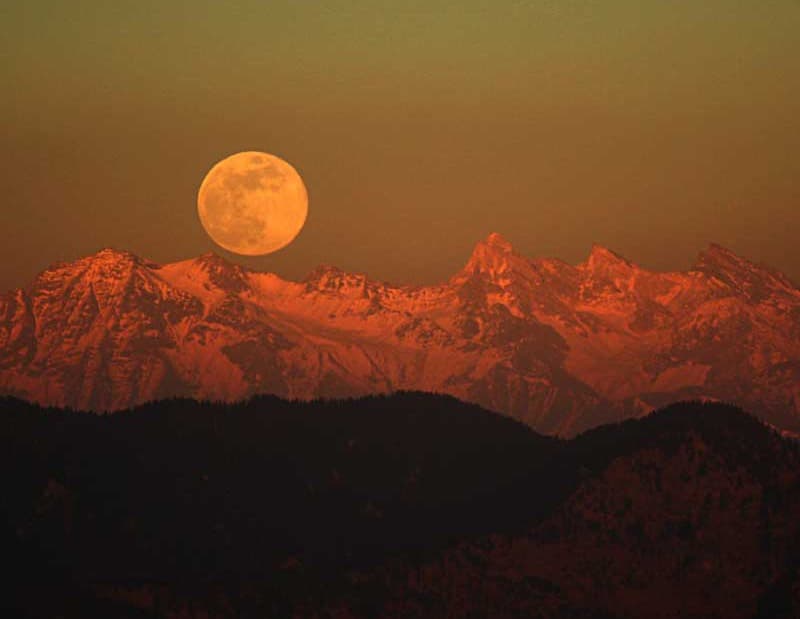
column 560, row 347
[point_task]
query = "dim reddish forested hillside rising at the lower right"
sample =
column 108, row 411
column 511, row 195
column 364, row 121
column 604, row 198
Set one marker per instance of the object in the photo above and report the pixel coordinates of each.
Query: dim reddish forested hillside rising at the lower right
column 691, row 512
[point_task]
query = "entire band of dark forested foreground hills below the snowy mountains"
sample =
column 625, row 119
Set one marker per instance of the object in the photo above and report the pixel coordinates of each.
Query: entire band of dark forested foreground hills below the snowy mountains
column 411, row 505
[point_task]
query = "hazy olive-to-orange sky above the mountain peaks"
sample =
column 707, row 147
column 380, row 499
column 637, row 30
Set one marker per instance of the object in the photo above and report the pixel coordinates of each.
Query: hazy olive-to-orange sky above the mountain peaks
column 652, row 127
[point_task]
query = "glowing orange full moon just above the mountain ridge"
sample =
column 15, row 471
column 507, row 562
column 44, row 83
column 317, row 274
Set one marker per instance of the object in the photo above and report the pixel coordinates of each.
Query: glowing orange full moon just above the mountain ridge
column 252, row 203
